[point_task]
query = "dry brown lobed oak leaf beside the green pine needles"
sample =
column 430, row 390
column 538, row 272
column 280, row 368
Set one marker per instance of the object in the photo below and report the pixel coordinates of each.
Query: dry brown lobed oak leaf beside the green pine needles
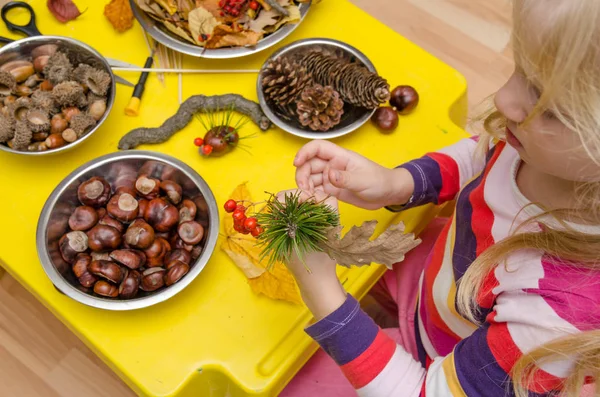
column 356, row 248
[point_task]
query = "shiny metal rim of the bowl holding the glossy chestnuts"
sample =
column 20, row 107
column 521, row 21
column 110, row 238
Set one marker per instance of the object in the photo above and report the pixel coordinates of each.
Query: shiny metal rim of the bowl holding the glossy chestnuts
column 65, row 287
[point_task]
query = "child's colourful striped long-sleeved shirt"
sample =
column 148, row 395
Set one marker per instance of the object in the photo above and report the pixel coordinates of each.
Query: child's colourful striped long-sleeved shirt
column 530, row 300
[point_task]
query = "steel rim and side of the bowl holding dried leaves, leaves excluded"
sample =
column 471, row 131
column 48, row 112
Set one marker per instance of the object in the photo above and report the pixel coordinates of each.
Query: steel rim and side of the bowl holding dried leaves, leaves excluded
column 165, row 37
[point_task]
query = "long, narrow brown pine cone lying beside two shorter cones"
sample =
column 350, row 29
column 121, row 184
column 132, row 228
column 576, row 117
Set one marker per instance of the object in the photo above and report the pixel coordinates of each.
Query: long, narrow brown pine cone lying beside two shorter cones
column 355, row 83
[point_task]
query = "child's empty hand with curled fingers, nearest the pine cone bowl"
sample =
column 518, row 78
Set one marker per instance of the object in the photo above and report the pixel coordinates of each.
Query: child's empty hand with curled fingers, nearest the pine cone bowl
column 351, row 177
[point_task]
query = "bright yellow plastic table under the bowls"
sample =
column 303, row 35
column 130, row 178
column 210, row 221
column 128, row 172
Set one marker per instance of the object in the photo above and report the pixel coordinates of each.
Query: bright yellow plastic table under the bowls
column 216, row 338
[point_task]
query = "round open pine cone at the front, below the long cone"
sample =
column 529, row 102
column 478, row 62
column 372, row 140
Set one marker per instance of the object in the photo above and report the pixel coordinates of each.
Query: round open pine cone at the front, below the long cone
column 320, row 108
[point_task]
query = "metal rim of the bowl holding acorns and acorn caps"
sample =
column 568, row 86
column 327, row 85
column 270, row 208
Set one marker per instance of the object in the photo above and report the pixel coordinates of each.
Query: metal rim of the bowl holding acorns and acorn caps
column 109, row 103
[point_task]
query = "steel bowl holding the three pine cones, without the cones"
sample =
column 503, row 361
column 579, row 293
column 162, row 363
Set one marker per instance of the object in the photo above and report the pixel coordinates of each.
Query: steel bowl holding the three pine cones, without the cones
column 353, row 118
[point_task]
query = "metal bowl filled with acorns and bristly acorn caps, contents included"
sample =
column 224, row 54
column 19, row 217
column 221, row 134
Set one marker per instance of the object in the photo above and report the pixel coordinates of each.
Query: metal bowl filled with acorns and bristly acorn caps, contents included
column 54, row 93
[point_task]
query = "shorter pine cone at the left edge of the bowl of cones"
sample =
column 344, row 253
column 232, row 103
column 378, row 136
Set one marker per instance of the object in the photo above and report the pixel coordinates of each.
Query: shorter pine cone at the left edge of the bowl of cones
column 283, row 80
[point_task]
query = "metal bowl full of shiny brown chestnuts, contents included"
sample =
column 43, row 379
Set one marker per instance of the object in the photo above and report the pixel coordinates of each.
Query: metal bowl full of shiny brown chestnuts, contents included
column 127, row 230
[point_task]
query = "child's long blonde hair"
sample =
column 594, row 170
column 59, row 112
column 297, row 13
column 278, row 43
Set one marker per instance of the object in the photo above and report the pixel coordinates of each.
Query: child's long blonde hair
column 562, row 58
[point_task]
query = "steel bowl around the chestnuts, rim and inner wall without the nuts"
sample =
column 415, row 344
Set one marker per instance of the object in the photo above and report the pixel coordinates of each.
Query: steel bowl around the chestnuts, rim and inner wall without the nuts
column 53, row 222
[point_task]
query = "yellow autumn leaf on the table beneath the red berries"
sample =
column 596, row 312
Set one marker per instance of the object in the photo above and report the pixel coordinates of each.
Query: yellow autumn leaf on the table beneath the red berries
column 275, row 283
